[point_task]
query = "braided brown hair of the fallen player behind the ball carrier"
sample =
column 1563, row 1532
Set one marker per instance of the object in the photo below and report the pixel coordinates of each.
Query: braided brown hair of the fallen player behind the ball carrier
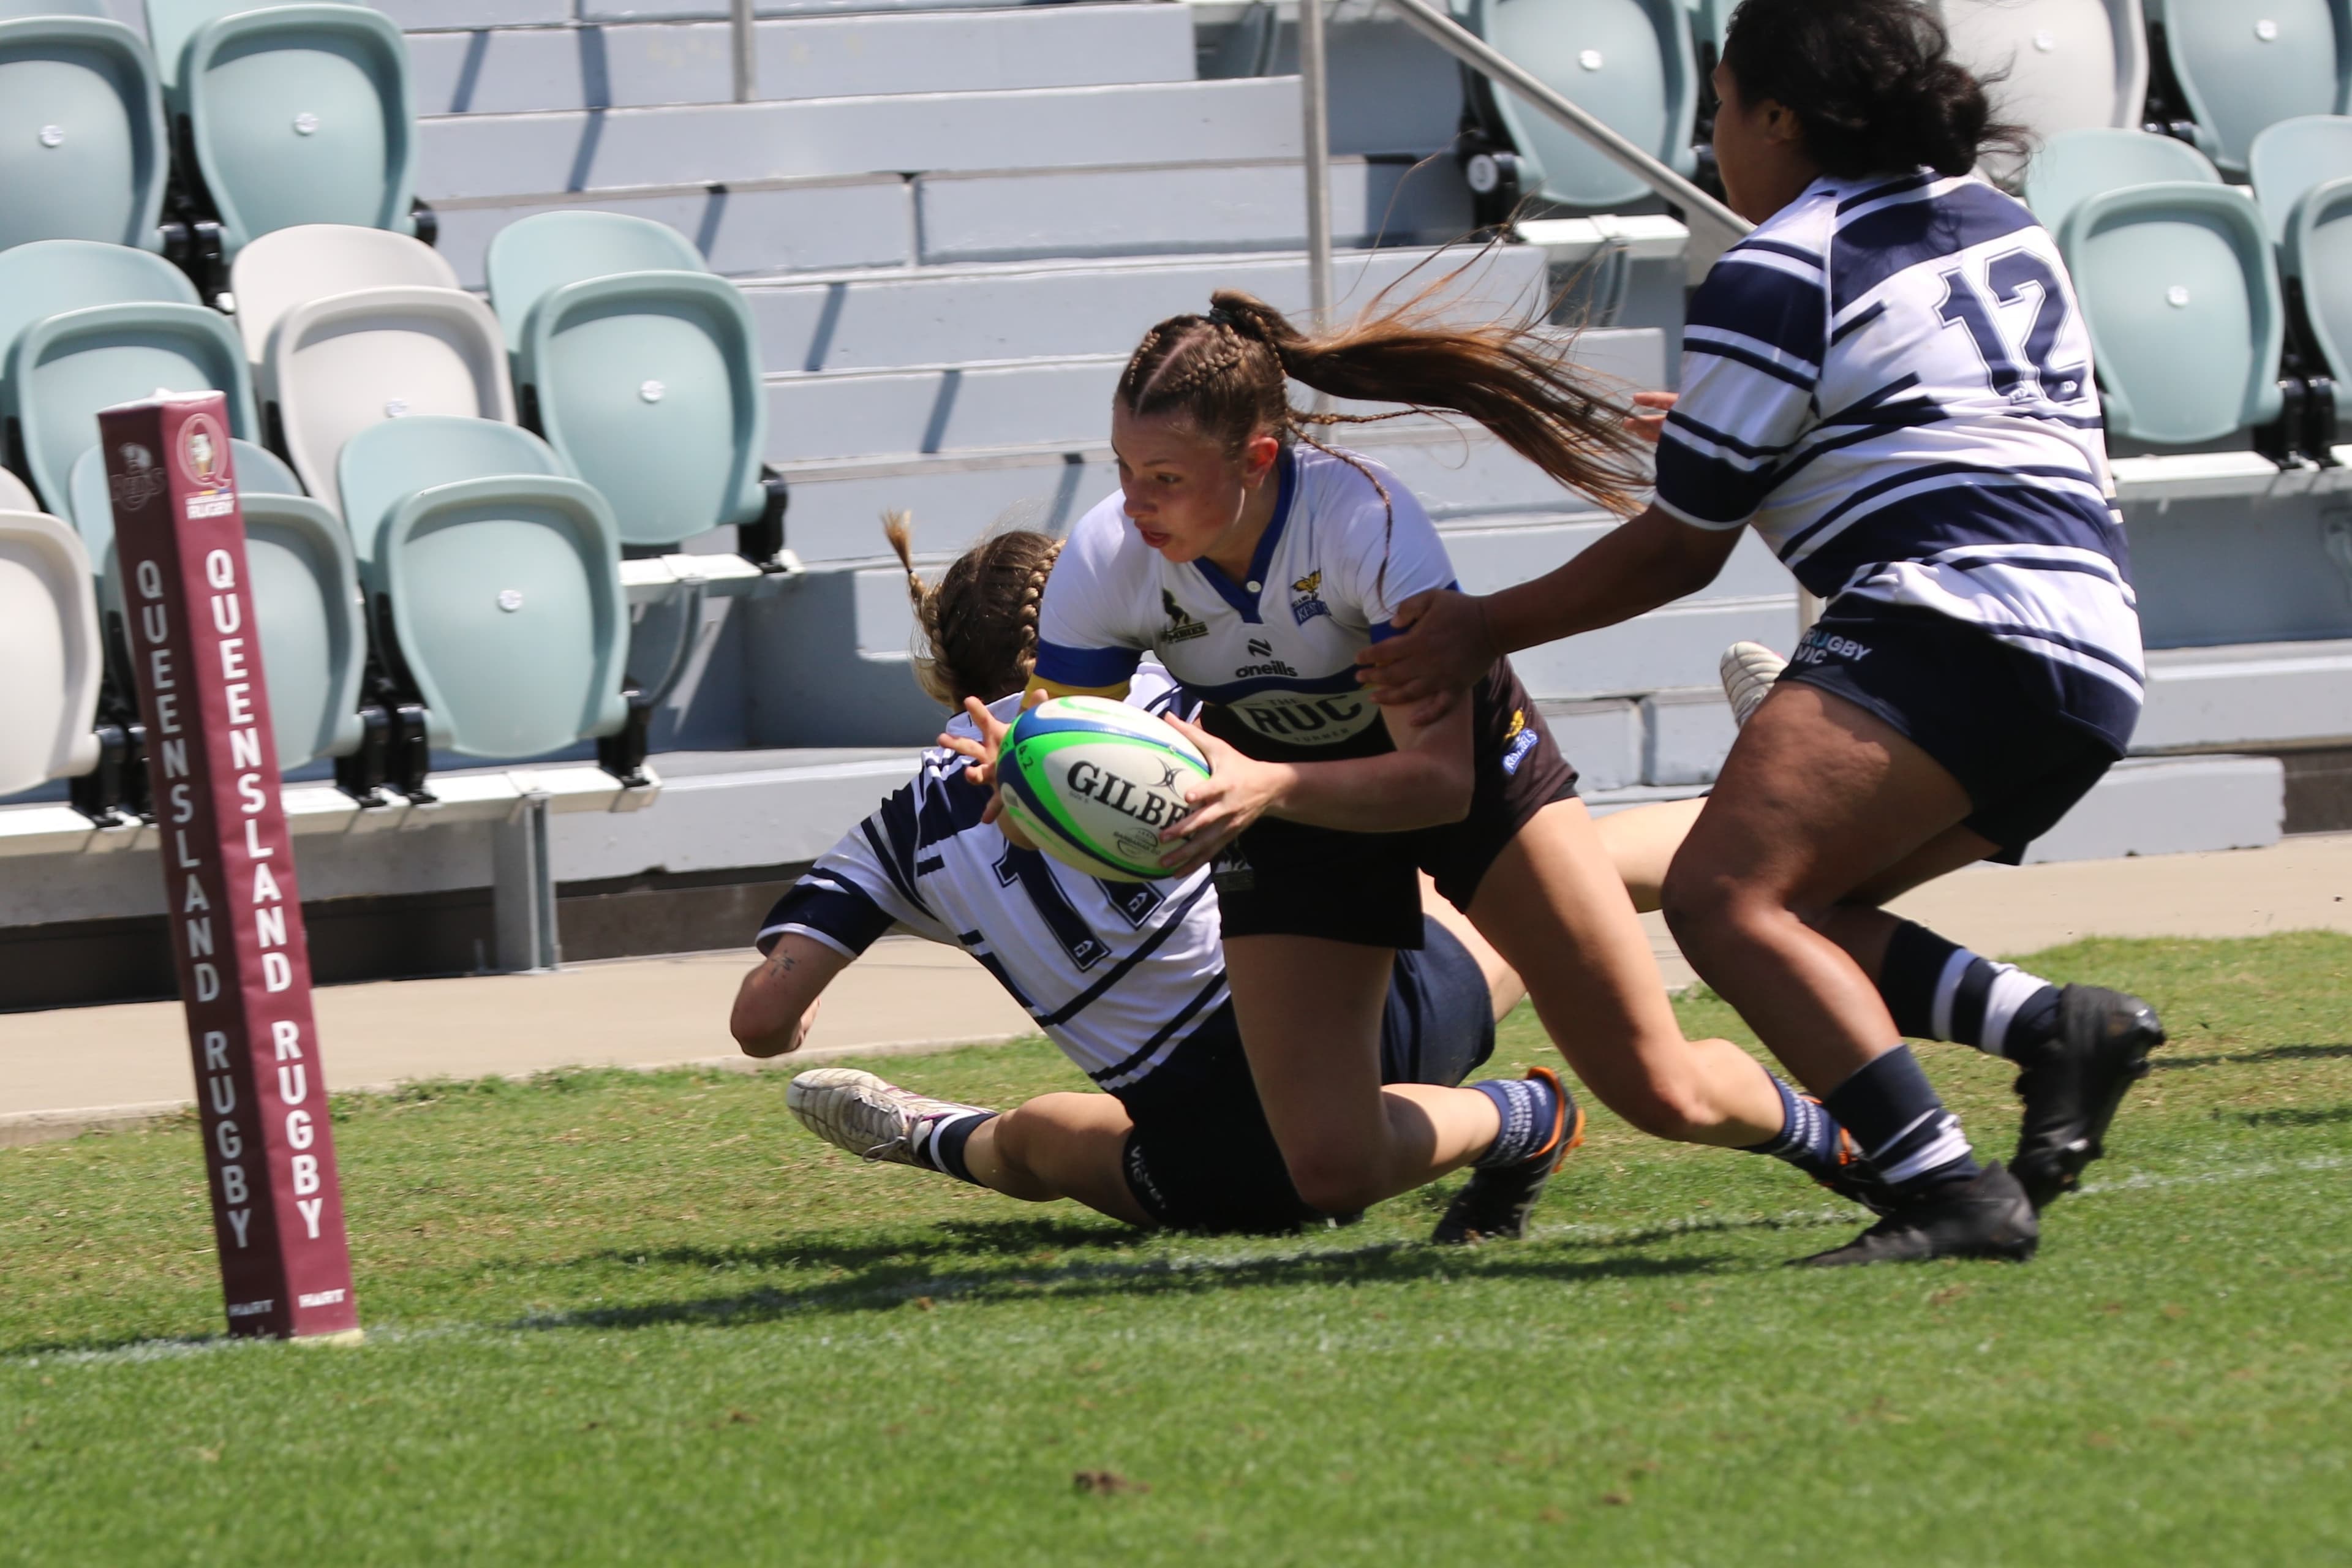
column 980, row 622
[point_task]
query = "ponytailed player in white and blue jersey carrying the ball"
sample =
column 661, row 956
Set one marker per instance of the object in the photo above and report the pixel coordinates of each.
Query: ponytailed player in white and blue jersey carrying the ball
column 1255, row 568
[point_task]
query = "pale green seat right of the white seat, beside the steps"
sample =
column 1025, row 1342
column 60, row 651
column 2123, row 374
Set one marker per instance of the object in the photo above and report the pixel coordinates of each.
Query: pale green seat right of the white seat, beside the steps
column 646, row 382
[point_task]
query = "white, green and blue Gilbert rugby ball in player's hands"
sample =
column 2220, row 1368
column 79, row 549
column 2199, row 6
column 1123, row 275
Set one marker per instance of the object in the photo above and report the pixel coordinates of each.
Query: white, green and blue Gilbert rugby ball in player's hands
column 1093, row 784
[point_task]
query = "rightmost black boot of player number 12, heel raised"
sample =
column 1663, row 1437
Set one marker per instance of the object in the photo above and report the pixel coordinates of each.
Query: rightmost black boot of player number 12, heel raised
column 2073, row 1085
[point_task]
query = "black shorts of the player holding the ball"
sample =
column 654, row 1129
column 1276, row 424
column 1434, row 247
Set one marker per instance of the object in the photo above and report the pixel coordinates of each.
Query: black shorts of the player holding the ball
column 1358, row 887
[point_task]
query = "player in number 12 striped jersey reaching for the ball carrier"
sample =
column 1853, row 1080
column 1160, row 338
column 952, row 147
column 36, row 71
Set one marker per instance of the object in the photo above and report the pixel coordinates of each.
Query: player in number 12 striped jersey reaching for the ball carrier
column 1892, row 384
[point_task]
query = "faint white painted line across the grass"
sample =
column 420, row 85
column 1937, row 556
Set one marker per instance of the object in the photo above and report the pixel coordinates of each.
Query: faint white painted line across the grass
column 1175, row 1266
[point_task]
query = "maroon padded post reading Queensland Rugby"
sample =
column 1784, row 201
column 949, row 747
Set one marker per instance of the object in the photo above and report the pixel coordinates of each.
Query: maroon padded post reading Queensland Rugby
column 229, row 869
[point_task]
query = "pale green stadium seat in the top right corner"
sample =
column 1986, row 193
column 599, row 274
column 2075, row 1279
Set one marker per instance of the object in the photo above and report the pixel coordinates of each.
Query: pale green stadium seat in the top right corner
column 2245, row 67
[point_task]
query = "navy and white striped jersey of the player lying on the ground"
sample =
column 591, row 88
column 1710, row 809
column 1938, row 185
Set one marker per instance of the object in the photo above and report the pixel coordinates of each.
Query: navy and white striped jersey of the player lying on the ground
column 1118, row 974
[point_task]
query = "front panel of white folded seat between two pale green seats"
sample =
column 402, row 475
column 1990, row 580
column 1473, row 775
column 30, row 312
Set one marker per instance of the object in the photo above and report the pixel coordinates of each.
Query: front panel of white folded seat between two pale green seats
column 345, row 363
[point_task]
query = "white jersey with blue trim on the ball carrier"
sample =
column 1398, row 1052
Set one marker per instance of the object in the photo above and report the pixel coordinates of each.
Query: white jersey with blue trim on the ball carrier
column 1276, row 652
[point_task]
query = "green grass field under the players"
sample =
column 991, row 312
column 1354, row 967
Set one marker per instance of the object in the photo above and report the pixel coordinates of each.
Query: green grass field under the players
column 650, row 1320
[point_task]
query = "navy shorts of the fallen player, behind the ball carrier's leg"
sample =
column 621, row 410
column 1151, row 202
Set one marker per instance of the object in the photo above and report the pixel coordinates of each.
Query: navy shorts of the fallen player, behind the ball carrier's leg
column 1203, row 1158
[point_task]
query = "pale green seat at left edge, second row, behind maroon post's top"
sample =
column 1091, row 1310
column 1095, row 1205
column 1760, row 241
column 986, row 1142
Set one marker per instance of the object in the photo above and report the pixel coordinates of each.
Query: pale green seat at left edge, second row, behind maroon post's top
column 74, row 359
